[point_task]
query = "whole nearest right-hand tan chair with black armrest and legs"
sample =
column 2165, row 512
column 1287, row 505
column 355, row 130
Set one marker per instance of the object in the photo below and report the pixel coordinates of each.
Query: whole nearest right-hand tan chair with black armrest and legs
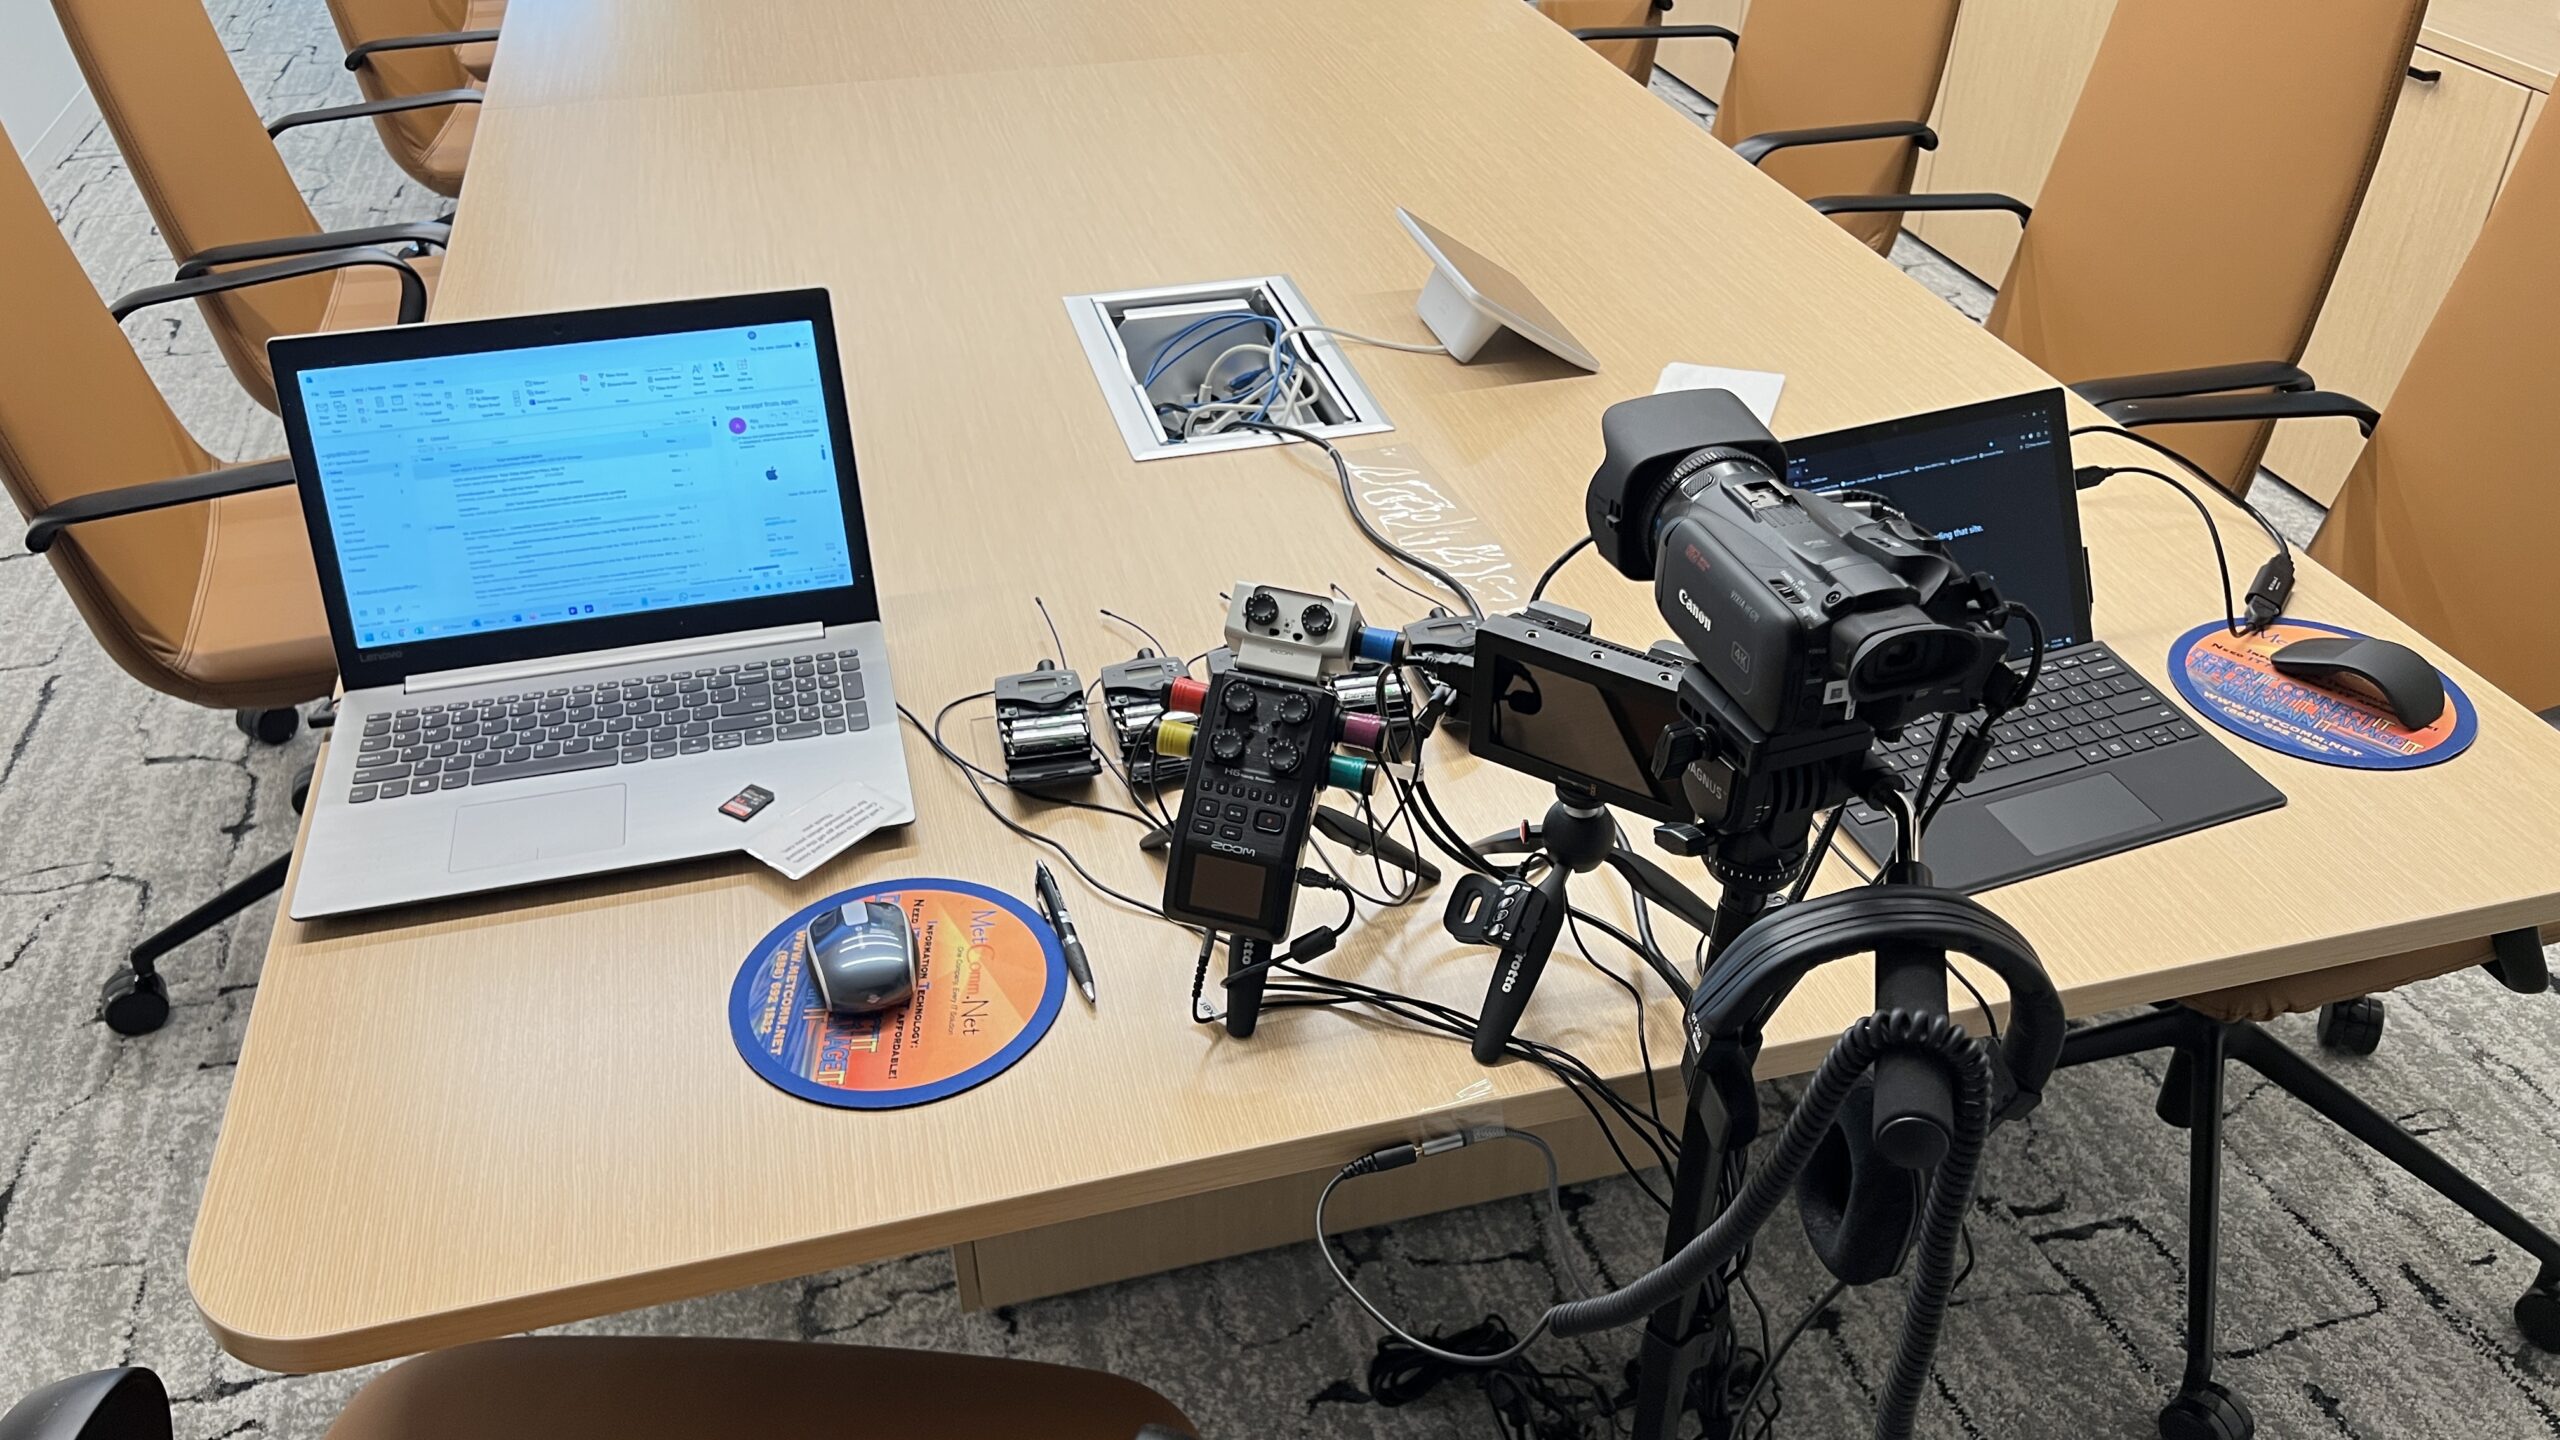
column 2446, row 521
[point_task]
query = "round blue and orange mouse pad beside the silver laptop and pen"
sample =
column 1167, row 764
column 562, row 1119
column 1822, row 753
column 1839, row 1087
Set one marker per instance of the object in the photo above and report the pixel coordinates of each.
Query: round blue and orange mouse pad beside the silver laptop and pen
column 989, row 983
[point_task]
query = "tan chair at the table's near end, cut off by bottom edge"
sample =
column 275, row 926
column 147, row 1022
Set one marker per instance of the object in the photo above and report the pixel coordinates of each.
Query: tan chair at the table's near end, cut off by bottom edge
column 667, row 1390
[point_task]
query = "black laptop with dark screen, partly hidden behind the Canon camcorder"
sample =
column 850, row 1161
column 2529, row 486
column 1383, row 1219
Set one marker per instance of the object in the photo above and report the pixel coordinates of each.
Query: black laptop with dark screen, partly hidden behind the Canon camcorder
column 2098, row 760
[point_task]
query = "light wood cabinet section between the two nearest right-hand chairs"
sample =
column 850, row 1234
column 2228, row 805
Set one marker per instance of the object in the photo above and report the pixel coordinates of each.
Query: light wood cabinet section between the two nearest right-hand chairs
column 2431, row 196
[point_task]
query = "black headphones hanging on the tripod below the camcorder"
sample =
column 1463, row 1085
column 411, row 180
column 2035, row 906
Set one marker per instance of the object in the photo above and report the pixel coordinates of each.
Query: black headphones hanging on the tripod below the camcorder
column 1860, row 1208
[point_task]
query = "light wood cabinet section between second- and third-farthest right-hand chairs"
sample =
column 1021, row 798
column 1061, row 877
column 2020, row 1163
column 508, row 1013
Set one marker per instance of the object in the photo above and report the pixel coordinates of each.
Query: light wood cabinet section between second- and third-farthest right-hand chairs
column 2011, row 83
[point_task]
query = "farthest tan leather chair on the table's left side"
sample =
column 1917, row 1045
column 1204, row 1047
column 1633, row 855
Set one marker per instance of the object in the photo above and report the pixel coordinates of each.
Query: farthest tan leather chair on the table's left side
column 393, row 60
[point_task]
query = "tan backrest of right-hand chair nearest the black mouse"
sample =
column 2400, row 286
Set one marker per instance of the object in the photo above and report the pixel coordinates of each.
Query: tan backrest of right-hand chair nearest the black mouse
column 2451, row 511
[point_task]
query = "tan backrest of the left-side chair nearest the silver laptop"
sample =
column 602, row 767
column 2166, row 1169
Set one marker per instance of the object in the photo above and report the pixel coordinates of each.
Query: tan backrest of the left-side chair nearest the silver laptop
column 78, row 414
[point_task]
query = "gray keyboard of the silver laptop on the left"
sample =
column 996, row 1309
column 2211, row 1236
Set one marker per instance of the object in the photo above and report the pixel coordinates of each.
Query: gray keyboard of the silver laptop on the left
column 608, row 724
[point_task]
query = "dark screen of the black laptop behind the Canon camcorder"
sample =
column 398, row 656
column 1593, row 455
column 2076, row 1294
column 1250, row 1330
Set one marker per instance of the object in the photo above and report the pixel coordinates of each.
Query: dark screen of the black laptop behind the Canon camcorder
column 1993, row 483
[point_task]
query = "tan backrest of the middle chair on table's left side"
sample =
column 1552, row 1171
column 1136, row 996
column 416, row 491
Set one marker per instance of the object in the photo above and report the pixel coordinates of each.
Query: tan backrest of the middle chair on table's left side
column 201, row 158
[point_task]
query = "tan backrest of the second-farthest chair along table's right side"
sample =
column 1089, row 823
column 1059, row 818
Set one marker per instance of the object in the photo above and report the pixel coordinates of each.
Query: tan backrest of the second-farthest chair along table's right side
column 1839, row 63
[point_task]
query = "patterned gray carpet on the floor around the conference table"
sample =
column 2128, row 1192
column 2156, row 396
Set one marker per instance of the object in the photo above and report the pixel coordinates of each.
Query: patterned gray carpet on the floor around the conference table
column 2356, row 1303
